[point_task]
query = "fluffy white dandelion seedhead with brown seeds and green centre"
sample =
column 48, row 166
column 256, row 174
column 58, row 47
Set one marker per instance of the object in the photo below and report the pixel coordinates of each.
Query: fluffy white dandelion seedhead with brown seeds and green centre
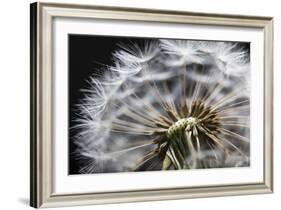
column 166, row 105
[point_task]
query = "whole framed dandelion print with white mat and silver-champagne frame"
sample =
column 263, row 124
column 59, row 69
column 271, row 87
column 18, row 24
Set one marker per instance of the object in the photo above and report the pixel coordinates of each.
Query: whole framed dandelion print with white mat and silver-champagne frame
column 139, row 105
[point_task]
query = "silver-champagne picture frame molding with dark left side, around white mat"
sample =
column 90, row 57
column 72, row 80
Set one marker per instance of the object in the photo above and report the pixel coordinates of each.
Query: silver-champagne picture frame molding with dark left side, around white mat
column 41, row 20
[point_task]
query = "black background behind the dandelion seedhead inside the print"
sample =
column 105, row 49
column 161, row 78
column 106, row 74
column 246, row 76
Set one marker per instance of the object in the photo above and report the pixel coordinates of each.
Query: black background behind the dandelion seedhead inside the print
column 87, row 54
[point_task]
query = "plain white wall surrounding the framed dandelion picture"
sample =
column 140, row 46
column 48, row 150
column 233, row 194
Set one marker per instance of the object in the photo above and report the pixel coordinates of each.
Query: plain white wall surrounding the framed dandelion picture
column 14, row 104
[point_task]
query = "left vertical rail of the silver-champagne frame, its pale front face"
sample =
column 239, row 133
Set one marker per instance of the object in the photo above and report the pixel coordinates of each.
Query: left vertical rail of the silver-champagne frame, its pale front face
column 46, row 101
